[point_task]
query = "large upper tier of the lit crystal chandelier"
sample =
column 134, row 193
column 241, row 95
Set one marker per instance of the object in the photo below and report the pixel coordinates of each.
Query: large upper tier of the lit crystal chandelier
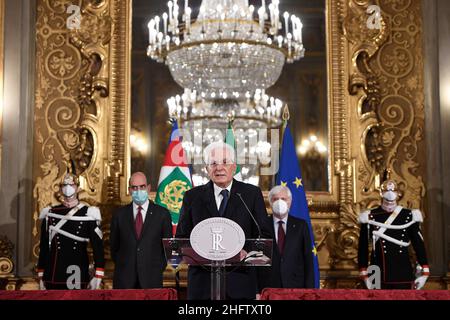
column 230, row 49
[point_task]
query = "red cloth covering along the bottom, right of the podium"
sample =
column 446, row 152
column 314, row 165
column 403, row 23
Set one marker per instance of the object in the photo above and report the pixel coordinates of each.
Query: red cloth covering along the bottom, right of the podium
column 350, row 294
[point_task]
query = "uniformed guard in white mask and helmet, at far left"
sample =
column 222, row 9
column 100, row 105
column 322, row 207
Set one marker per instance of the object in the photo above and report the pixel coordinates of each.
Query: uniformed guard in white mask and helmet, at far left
column 66, row 230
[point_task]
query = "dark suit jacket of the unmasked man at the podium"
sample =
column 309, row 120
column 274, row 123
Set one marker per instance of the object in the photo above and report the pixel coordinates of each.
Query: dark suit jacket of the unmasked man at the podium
column 199, row 204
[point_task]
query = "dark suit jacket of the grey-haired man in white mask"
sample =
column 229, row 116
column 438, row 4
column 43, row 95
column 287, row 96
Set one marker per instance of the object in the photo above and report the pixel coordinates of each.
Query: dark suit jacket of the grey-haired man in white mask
column 295, row 268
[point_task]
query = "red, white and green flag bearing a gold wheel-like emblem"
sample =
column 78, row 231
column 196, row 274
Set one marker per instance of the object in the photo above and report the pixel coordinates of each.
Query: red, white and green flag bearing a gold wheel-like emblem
column 174, row 178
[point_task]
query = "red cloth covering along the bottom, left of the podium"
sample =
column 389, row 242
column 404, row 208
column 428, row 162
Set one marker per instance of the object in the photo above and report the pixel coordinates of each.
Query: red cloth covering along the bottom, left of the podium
column 148, row 294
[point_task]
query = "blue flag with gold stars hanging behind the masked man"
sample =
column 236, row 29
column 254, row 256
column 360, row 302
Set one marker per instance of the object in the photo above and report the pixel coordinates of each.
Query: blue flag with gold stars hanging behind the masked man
column 290, row 175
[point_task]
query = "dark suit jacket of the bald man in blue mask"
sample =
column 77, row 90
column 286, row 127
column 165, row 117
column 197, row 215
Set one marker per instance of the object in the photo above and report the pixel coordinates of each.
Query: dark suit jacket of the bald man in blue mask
column 140, row 259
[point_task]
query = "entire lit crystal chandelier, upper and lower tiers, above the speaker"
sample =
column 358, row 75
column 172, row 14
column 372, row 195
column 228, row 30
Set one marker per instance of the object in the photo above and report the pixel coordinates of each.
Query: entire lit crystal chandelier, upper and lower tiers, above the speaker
column 225, row 59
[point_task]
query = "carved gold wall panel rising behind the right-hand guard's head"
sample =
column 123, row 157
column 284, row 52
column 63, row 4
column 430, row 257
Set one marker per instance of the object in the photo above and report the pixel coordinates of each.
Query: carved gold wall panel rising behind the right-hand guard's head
column 389, row 89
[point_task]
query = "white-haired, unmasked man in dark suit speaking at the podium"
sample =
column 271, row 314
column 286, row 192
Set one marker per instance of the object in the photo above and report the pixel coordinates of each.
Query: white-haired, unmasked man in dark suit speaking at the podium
column 220, row 197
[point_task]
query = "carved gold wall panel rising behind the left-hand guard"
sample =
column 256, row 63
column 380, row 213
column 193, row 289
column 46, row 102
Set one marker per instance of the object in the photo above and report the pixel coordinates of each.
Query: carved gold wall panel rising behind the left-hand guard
column 81, row 112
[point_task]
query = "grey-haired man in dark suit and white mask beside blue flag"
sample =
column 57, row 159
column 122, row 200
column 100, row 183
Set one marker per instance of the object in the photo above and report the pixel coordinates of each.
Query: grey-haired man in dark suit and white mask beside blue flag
column 292, row 259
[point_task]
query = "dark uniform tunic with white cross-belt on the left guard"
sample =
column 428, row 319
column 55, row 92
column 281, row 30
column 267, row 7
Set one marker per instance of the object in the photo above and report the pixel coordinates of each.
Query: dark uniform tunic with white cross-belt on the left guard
column 61, row 256
